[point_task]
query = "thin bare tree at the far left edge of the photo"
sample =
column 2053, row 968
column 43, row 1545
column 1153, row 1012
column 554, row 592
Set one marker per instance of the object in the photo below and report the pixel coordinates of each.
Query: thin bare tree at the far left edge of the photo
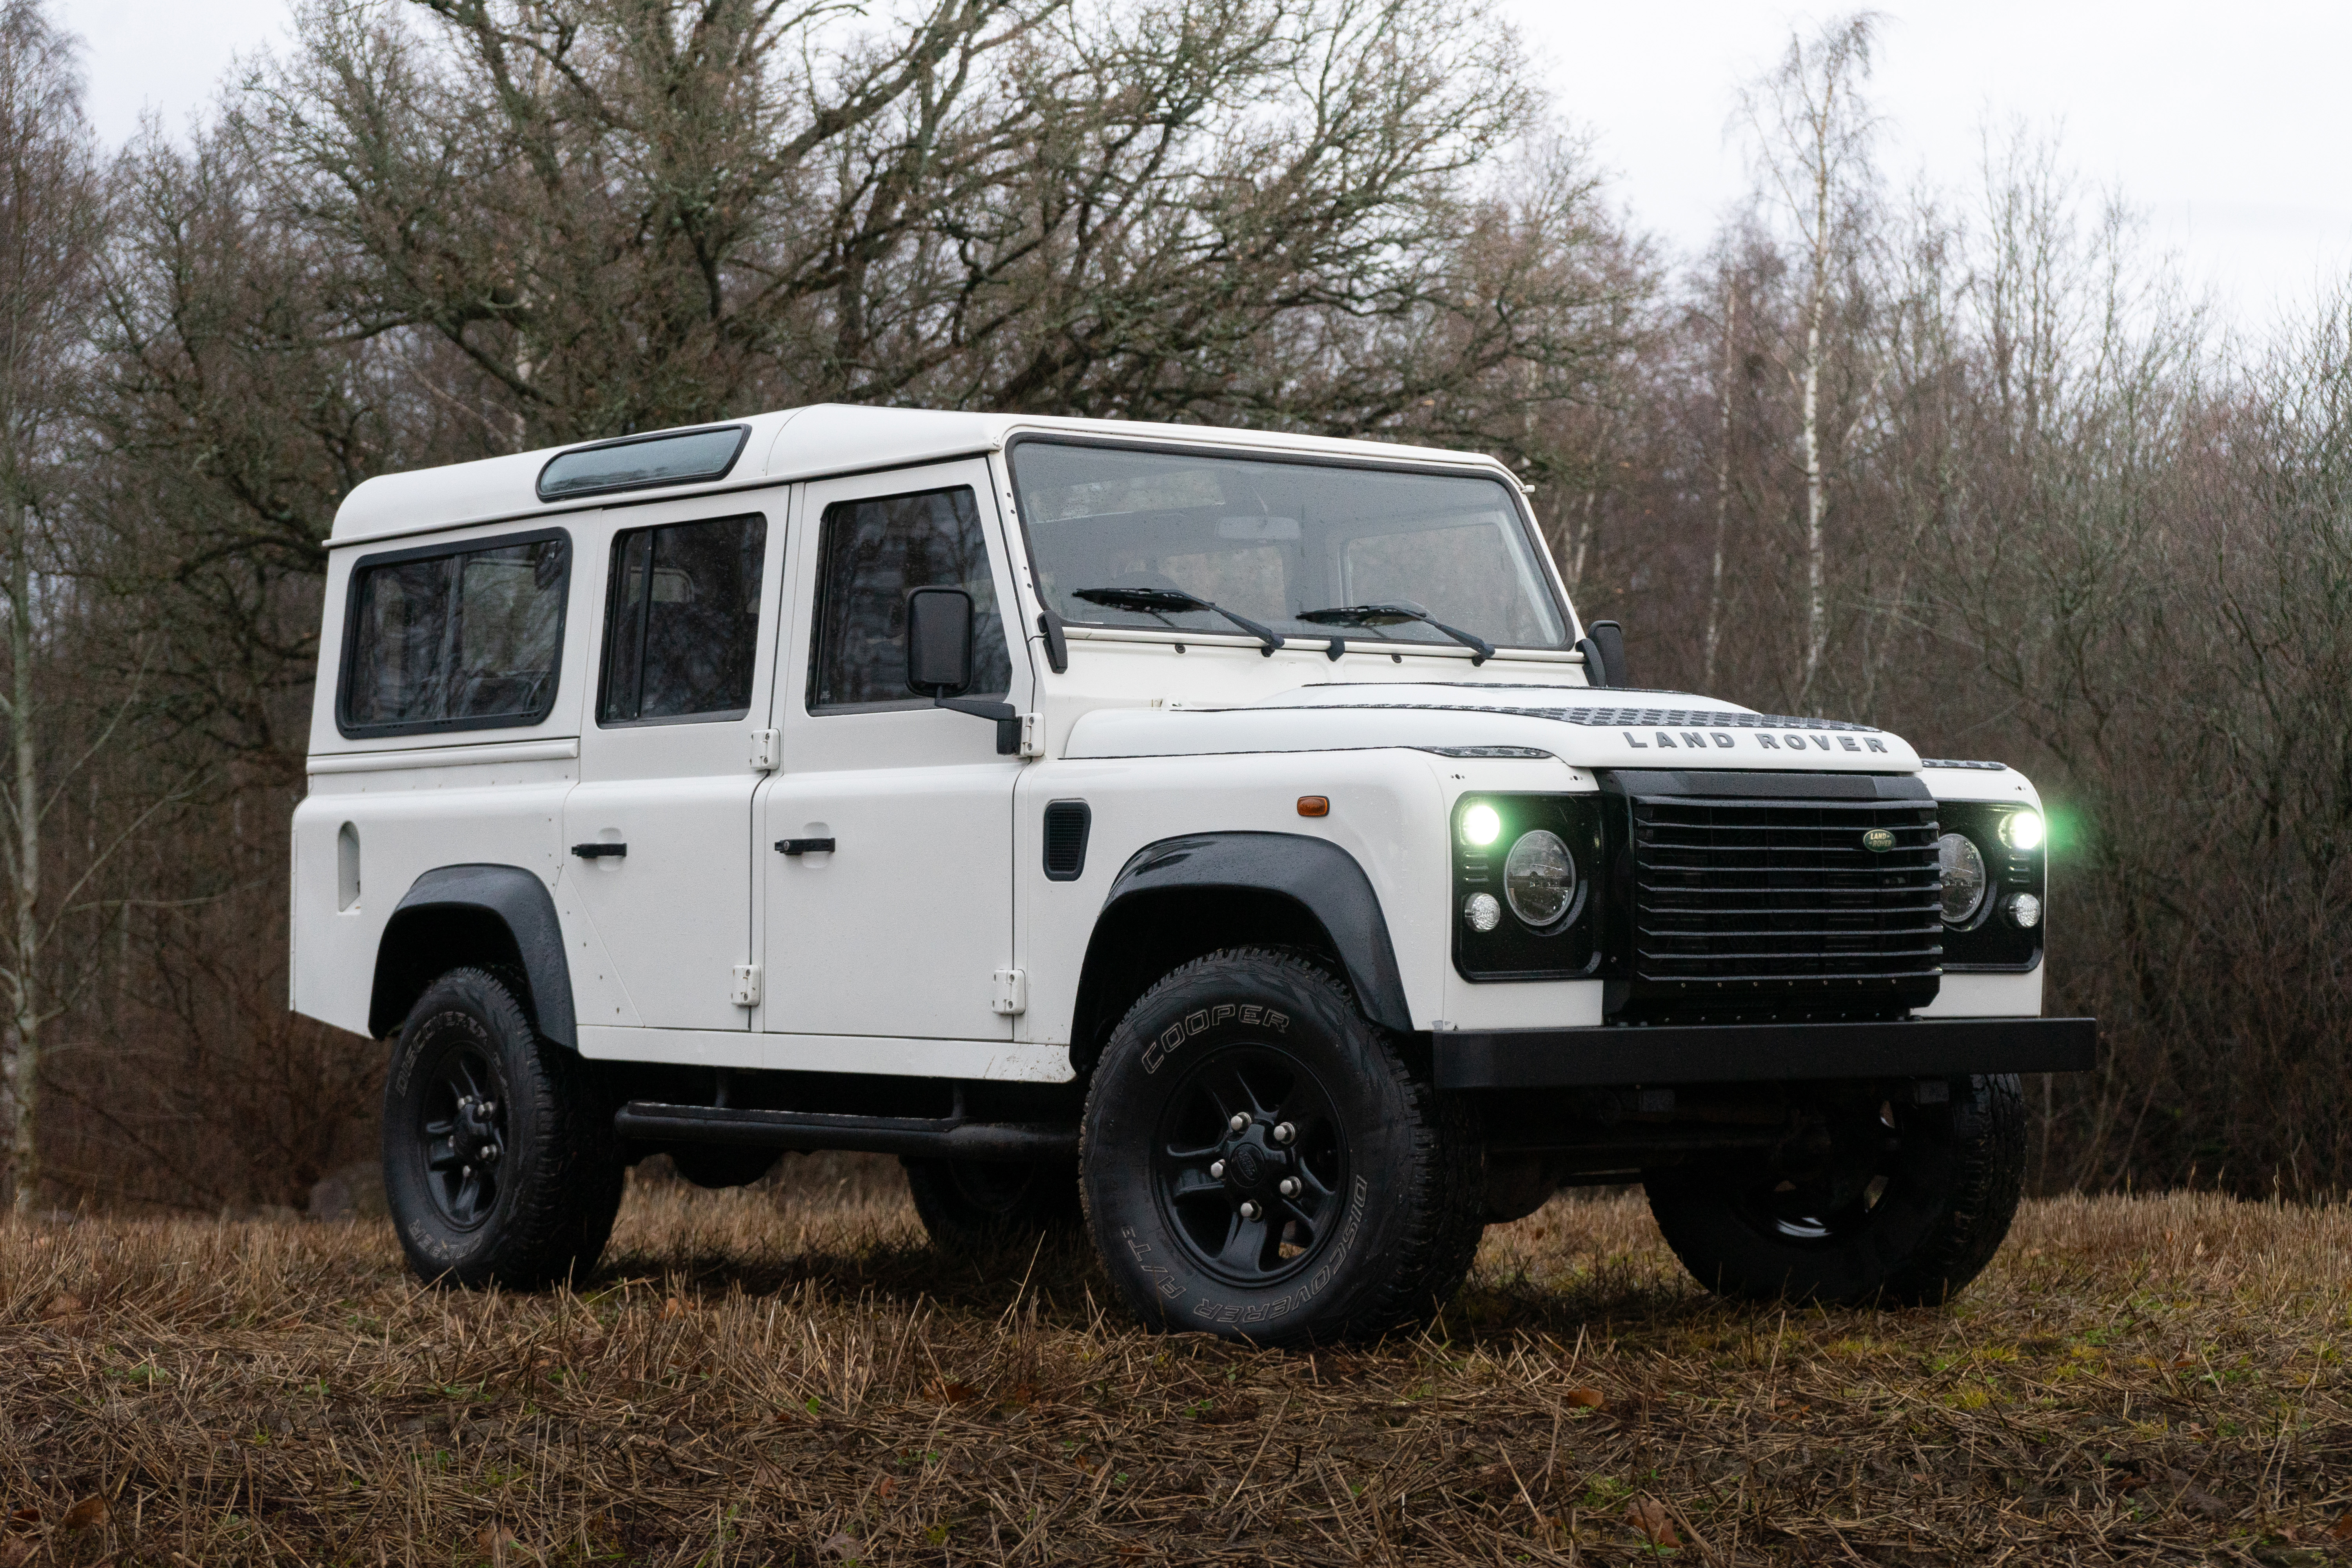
column 48, row 239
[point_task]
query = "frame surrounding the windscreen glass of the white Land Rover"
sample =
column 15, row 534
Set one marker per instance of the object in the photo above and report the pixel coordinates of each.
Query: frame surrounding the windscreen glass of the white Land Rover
column 1549, row 570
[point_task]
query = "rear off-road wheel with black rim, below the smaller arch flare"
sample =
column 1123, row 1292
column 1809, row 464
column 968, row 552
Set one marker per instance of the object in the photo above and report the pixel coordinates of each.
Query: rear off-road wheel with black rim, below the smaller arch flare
column 556, row 1179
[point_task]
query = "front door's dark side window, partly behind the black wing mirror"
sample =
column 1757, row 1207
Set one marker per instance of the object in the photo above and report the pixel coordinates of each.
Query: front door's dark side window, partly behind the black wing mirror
column 871, row 556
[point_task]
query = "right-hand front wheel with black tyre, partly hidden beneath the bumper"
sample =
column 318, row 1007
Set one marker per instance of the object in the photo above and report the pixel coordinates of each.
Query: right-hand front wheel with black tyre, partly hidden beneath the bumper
column 1878, row 1202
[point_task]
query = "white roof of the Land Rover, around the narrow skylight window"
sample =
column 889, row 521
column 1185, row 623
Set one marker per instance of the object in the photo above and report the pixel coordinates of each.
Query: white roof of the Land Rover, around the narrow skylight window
column 806, row 443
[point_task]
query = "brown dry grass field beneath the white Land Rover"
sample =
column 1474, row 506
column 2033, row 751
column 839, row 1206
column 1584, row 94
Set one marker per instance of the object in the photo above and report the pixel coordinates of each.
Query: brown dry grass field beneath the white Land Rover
column 791, row 1376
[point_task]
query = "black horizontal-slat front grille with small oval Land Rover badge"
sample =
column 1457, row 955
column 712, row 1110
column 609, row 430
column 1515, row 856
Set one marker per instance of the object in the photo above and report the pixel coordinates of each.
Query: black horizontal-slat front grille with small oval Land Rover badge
column 1779, row 909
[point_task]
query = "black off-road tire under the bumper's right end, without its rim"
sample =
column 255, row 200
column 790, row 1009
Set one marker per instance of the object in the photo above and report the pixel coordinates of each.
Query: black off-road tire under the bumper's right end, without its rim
column 1953, row 1188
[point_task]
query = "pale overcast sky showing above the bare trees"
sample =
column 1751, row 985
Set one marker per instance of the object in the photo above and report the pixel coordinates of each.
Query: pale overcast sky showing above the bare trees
column 2226, row 126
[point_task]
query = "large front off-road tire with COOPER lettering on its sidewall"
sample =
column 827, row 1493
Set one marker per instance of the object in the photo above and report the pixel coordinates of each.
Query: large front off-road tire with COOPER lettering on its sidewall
column 1398, row 1226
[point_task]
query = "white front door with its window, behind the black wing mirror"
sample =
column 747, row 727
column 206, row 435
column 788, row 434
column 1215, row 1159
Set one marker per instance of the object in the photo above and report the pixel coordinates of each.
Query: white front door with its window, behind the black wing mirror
column 886, row 843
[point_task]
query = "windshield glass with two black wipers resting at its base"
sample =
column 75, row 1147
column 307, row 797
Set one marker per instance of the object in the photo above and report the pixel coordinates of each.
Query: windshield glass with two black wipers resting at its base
column 1151, row 540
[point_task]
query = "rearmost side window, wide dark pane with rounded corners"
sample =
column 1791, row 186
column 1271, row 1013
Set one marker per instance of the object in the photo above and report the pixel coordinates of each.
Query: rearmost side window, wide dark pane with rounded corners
column 455, row 638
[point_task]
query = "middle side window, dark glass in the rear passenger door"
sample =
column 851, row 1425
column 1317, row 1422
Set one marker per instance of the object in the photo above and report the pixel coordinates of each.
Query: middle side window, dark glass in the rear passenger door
column 683, row 622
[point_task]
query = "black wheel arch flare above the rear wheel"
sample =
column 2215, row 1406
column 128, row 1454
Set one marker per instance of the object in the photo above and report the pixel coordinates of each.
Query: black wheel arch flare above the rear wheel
column 474, row 916
